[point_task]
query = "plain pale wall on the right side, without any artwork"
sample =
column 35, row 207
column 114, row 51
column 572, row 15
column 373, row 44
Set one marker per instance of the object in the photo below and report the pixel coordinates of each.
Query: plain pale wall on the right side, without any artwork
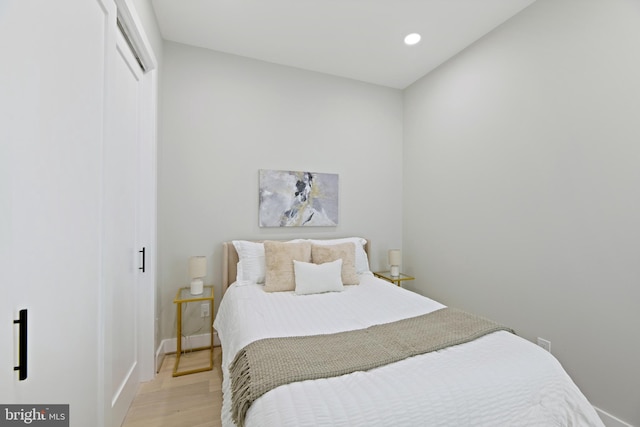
column 521, row 182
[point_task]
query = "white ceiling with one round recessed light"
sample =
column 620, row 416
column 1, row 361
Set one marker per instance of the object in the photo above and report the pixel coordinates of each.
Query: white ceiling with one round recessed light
column 357, row 39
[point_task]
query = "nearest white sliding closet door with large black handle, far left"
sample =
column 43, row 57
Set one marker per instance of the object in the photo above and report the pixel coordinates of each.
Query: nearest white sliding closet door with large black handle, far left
column 55, row 59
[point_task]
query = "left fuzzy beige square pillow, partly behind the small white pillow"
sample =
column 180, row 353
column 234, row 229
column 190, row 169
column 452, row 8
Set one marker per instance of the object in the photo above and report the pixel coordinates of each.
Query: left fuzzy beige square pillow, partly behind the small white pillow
column 279, row 257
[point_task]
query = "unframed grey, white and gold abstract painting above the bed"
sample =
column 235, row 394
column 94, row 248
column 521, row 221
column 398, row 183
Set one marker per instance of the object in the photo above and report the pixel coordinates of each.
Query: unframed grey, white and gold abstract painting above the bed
column 298, row 199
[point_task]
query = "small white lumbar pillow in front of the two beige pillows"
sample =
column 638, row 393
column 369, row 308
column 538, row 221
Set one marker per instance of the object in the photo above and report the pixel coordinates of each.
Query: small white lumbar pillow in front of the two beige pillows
column 317, row 278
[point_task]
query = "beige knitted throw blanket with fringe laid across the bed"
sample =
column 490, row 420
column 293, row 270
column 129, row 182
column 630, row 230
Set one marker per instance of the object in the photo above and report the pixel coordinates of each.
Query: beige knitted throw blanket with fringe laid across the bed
column 271, row 362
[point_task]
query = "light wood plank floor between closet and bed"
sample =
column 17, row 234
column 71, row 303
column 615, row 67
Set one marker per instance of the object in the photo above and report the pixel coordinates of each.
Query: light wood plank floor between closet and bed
column 193, row 400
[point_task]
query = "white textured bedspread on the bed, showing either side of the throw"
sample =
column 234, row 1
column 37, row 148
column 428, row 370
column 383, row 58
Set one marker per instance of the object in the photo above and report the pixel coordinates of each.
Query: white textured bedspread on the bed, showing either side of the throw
column 497, row 380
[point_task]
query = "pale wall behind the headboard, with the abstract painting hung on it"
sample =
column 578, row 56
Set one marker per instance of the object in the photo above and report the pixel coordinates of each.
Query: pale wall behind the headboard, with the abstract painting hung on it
column 225, row 117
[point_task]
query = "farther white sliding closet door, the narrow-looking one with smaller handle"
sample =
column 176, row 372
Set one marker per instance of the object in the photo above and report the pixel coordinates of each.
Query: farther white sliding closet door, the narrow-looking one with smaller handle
column 122, row 256
